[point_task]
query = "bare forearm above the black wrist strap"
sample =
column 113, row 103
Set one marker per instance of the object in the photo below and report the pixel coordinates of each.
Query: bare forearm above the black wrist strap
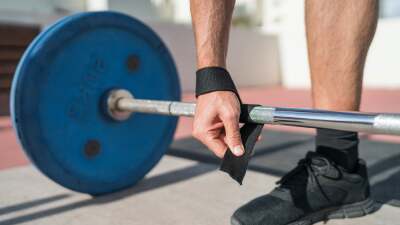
column 211, row 24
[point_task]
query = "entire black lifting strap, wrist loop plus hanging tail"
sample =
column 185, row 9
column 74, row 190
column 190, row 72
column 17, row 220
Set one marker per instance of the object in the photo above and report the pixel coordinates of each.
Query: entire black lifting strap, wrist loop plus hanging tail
column 211, row 79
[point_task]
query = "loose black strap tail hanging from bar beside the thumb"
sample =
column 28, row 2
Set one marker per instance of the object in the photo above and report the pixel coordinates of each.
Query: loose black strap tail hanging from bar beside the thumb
column 236, row 166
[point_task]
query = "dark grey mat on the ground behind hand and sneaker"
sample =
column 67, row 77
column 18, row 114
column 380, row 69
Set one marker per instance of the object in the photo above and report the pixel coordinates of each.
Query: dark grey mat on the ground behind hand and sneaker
column 278, row 152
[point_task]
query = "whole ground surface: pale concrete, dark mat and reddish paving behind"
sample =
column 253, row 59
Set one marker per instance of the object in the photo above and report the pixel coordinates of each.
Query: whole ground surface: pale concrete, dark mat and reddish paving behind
column 186, row 187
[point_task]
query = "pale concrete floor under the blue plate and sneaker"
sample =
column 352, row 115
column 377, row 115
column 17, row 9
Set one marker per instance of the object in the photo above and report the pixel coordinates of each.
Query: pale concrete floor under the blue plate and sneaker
column 178, row 191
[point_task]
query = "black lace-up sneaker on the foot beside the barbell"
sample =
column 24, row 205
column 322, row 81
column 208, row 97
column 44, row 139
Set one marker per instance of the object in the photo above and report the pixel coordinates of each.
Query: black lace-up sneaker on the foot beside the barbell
column 316, row 190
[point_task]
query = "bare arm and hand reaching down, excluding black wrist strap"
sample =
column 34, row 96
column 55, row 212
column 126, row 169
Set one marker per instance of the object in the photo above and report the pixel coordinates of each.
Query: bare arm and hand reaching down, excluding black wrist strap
column 216, row 121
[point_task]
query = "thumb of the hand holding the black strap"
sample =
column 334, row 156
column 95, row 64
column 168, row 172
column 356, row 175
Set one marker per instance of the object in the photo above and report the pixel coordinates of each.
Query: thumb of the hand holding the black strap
column 233, row 138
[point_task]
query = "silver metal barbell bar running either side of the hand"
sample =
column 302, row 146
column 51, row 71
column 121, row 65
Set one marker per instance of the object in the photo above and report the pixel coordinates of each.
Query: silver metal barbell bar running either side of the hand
column 378, row 123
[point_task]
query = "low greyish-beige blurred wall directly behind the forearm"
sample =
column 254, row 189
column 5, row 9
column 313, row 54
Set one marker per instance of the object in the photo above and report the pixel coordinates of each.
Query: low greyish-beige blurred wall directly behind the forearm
column 252, row 57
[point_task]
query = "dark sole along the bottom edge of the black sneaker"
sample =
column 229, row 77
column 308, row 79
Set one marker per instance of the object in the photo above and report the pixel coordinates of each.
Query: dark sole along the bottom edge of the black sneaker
column 353, row 210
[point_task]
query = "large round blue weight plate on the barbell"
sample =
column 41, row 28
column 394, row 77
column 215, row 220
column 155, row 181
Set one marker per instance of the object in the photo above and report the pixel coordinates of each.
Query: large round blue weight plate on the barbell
column 56, row 95
